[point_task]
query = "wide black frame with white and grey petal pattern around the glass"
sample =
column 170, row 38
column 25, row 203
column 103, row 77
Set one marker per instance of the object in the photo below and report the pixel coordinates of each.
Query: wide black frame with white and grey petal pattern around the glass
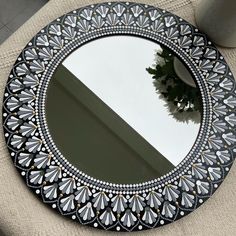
column 97, row 203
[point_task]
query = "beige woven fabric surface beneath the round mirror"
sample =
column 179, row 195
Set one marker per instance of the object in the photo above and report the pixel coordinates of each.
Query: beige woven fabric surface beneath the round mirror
column 21, row 213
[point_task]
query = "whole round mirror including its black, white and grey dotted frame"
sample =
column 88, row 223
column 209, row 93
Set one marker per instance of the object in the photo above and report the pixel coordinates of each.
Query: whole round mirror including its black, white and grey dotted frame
column 104, row 121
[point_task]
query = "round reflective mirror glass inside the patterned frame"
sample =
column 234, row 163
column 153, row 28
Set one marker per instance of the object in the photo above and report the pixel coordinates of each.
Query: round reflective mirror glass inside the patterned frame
column 123, row 109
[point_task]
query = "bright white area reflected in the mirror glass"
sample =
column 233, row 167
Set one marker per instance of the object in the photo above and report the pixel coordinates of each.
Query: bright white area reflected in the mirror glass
column 114, row 69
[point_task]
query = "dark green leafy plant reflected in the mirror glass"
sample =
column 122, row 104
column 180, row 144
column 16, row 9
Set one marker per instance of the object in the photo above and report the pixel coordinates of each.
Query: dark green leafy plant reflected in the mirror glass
column 185, row 99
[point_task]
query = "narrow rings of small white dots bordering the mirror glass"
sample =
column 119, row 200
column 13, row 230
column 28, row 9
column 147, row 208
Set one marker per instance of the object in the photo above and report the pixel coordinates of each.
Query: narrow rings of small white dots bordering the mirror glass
column 138, row 185
